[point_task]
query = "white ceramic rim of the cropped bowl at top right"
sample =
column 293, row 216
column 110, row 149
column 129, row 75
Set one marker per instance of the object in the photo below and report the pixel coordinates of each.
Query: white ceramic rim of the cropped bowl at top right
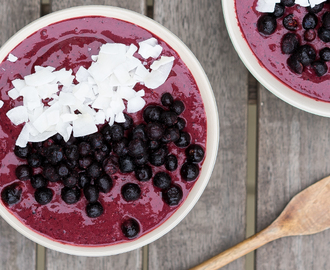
column 267, row 79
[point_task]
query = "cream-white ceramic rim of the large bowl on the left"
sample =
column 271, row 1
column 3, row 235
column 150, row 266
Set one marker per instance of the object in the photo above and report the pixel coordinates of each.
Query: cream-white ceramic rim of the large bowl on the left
column 212, row 126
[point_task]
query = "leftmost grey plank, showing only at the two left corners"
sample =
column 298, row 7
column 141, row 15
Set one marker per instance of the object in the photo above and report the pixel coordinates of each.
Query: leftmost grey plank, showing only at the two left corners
column 15, row 249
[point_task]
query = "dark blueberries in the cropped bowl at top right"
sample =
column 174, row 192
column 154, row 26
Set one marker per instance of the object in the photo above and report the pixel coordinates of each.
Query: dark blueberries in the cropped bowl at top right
column 300, row 55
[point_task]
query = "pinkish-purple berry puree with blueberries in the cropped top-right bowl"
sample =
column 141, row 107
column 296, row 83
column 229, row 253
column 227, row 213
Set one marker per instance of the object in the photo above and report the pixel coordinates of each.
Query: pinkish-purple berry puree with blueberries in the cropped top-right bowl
column 311, row 79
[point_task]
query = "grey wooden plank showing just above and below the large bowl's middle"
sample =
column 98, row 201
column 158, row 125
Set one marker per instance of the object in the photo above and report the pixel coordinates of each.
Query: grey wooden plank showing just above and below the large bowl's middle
column 131, row 260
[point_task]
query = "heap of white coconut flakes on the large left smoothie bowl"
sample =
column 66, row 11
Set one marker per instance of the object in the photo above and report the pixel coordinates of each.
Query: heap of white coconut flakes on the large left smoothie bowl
column 98, row 97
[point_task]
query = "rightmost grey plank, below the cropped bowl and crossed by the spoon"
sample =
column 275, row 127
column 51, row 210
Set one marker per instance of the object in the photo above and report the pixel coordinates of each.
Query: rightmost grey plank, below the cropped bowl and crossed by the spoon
column 293, row 153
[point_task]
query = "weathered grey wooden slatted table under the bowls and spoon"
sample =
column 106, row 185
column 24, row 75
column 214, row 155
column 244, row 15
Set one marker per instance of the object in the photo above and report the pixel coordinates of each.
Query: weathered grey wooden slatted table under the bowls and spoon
column 293, row 149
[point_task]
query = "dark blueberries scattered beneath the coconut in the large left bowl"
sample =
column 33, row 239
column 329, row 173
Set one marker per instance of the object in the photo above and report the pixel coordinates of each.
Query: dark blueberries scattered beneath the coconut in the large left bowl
column 86, row 164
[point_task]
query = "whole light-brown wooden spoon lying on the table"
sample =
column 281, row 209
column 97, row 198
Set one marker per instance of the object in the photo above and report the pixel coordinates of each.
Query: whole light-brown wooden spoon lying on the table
column 307, row 213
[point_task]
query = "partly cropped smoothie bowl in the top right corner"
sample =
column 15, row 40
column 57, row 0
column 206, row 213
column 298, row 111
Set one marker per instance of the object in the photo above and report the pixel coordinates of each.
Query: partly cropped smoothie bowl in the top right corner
column 288, row 56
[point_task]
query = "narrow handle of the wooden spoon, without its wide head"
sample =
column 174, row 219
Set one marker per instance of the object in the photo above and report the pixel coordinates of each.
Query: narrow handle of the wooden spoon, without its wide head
column 263, row 237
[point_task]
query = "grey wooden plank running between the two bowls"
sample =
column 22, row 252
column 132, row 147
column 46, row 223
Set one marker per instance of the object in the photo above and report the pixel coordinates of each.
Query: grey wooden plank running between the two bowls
column 218, row 220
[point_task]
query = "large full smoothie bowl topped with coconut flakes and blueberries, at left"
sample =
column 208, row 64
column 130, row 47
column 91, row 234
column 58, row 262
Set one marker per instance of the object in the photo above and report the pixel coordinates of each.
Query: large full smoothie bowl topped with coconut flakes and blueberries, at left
column 109, row 131
